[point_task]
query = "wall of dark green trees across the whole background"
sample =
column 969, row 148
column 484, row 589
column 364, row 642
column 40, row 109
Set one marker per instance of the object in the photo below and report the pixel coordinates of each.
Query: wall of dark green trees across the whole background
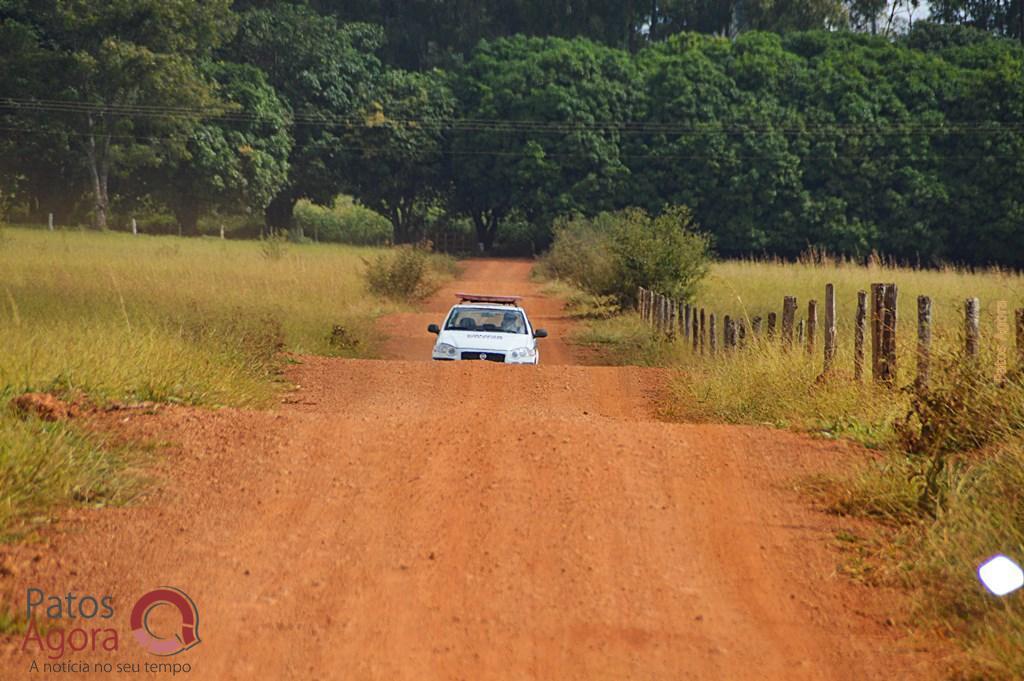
column 779, row 126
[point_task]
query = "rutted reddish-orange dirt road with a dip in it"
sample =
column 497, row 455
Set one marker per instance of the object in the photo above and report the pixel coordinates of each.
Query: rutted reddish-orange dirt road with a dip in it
column 404, row 520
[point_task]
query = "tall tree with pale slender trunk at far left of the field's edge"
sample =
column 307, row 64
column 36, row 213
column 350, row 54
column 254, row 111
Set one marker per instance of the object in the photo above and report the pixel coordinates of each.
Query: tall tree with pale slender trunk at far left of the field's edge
column 116, row 76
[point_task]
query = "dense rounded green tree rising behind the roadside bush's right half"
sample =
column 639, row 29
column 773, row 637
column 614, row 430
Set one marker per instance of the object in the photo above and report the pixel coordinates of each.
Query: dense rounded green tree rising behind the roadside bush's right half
column 716, row 140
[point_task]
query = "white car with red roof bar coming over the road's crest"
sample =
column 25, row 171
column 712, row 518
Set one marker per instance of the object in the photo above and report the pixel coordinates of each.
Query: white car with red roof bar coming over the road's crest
column 489, row 329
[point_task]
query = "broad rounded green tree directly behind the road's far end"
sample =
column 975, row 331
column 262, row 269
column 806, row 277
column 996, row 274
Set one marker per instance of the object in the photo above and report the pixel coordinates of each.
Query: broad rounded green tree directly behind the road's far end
column 540, row 131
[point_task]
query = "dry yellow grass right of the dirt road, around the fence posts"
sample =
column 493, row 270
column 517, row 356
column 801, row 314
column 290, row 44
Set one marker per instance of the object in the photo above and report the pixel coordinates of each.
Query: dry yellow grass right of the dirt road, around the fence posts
column 949, row 491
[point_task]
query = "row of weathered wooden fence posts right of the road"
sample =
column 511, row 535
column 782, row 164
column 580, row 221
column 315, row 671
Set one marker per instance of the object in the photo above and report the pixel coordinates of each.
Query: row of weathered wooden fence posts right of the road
column 876, row 321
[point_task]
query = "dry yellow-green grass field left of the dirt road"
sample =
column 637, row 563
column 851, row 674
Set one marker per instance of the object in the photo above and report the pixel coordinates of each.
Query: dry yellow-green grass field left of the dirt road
column 114, row 318
